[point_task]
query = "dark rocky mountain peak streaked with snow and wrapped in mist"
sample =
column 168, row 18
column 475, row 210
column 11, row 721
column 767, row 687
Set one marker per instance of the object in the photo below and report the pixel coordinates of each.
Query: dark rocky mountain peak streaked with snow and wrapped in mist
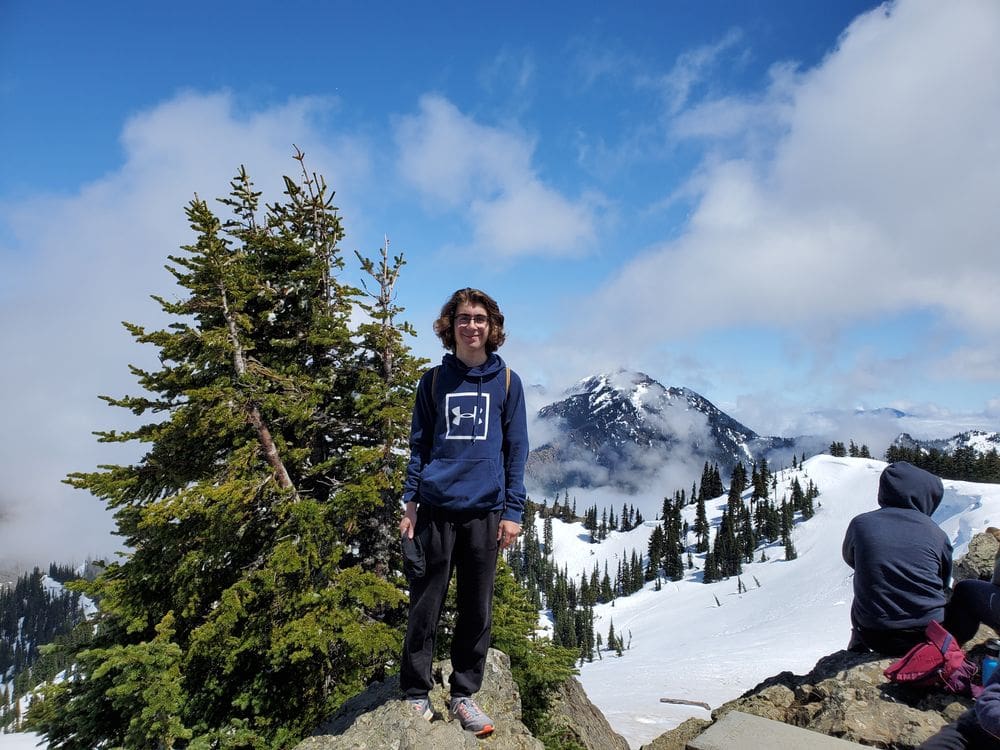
column 620, row 429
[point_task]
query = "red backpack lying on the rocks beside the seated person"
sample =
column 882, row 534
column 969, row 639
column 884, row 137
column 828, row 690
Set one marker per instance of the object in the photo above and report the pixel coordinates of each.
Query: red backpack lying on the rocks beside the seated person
column 937, row 662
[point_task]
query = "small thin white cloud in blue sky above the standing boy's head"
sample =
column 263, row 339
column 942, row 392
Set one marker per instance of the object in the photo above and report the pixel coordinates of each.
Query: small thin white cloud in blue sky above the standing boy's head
column 487, row 171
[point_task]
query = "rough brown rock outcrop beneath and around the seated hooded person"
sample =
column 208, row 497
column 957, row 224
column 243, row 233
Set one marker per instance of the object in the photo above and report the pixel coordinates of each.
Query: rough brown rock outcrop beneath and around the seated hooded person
column 846, row 695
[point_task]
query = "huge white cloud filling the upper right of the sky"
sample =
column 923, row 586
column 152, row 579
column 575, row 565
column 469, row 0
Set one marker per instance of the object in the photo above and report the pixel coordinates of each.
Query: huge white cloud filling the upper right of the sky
column 879, row 198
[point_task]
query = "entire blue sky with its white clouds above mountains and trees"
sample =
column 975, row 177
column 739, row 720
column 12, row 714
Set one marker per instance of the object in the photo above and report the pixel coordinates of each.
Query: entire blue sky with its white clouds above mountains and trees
column 789, row 207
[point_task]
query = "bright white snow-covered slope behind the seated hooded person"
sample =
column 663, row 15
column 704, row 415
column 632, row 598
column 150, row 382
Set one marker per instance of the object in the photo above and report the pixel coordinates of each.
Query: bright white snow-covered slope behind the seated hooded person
column 686, row 646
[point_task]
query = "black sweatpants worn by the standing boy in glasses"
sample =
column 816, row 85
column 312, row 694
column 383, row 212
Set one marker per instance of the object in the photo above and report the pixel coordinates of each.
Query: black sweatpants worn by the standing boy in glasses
column 467, row 545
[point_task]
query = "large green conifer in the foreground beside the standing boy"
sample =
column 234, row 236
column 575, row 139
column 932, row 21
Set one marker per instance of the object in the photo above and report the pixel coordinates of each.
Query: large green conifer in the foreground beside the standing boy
column 257, row 594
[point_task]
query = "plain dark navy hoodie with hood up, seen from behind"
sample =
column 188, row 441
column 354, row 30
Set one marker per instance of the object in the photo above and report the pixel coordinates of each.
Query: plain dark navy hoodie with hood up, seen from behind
column 901, row 557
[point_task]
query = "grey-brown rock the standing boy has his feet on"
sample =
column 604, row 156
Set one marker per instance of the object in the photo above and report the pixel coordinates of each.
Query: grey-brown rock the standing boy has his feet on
column 378, row 719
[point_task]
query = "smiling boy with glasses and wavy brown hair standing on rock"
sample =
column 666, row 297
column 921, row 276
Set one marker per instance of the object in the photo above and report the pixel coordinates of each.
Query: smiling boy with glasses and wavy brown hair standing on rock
column 464, row 497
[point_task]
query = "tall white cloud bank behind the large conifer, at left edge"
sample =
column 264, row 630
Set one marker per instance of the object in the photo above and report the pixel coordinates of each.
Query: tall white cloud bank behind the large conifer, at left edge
column 76, row 266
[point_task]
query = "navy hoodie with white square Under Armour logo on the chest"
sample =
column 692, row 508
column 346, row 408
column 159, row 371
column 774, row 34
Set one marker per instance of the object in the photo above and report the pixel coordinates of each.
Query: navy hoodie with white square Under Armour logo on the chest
column 469, row 439
